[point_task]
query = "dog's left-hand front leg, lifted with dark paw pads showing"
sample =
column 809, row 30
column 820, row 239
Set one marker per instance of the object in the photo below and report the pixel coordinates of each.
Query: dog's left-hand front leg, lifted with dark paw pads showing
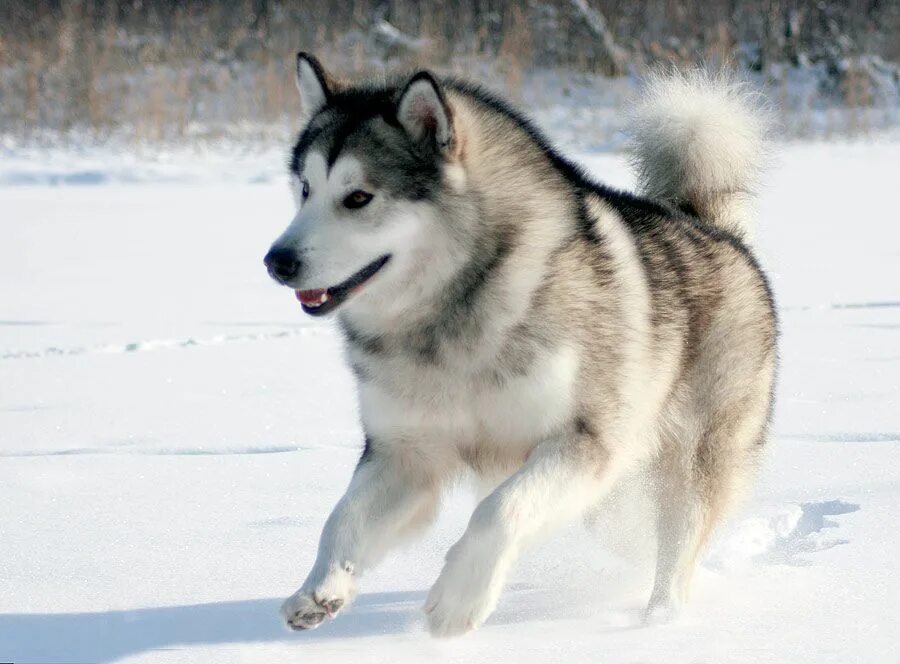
column 390, row 495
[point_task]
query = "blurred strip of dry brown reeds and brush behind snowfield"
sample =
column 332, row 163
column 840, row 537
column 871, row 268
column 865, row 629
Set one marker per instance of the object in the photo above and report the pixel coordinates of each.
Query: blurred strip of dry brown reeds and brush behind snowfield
column 157, row 71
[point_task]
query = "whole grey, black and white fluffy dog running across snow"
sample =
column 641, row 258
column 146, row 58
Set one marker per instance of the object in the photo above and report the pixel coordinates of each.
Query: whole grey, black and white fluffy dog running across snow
column 505, row 314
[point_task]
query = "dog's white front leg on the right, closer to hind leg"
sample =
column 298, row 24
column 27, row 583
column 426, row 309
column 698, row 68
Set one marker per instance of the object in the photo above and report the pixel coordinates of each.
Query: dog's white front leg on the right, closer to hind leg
column 559, row 480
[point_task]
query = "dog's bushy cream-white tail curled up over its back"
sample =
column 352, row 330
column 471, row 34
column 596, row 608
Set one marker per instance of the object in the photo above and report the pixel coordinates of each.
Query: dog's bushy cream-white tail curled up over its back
column 698, row 142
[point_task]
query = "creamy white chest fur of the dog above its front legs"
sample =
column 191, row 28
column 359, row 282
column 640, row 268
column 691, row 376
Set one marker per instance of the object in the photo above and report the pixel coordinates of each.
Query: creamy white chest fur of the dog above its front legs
column 487, row 423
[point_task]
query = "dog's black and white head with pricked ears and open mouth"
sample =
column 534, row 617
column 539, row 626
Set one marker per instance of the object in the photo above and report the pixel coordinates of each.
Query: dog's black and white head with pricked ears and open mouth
column 368, row 171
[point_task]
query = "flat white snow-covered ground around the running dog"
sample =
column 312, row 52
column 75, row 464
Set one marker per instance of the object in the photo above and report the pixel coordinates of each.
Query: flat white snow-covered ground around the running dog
column 174, row 431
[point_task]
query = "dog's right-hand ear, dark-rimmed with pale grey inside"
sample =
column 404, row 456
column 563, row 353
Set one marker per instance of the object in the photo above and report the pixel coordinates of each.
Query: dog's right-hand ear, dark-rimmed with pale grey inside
column 423, row 112
